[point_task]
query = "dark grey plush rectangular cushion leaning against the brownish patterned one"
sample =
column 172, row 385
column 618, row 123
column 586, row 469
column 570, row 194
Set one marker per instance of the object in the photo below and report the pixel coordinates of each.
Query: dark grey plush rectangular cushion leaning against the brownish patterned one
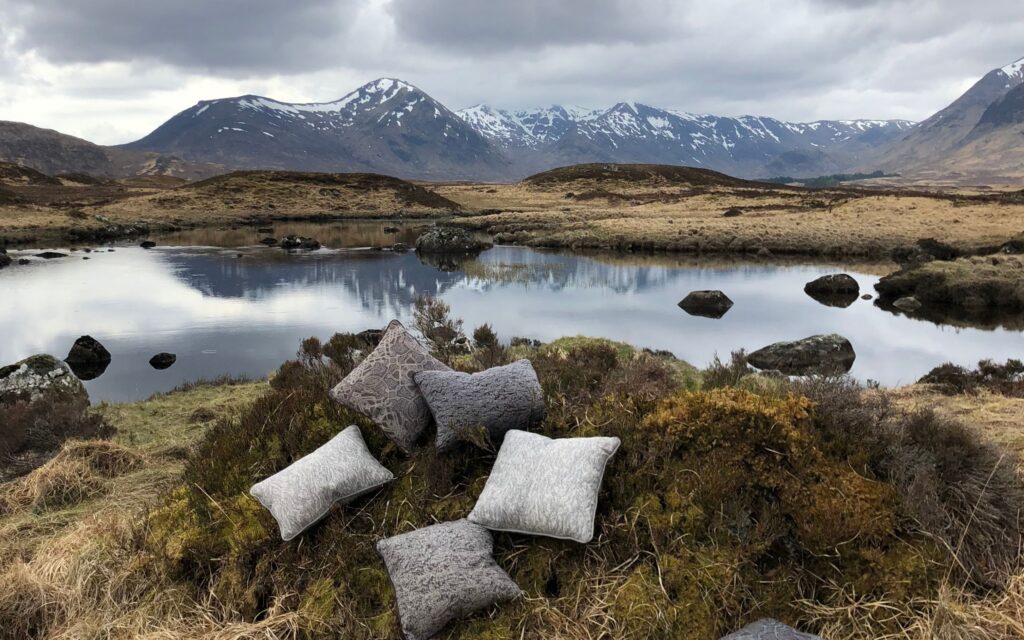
column 498, row 400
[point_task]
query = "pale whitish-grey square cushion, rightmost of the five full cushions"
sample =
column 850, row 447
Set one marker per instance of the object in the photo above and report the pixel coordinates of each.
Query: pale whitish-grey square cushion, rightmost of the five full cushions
column 545, row 487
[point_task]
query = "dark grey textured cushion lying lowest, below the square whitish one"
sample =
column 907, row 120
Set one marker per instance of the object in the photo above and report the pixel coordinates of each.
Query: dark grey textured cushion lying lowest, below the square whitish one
column 443, row 573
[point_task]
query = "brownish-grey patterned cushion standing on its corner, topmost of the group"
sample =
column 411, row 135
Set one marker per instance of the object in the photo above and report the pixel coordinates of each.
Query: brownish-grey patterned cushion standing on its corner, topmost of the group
column 382, row 387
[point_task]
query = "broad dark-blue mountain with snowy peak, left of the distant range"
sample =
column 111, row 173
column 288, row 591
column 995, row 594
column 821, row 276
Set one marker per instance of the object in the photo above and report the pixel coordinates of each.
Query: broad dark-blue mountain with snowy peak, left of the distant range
column 386, row 126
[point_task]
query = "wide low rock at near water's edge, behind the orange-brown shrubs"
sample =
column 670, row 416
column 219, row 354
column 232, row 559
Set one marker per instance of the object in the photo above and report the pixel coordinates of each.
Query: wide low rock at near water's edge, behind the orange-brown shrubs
column 826, row 355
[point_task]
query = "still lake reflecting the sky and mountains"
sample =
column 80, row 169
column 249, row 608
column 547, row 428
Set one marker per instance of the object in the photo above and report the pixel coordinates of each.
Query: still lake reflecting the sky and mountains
column 226, row 305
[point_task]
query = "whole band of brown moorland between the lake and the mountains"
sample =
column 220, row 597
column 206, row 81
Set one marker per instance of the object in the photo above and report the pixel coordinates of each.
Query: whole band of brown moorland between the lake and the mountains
column 632, row 207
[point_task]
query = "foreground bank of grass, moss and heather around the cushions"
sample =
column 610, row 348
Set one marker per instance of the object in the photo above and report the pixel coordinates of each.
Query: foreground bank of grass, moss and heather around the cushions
column 854, row 514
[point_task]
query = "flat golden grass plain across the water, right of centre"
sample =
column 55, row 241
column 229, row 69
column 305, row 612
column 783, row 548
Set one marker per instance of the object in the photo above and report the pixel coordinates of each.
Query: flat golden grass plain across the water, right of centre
column 782, row 222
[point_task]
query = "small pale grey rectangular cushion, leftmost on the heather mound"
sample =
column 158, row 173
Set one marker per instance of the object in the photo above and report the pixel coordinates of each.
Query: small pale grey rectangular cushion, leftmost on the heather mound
column 337, row 473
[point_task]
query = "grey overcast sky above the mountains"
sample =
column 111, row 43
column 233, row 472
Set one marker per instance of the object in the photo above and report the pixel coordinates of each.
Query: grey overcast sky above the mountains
column 111, row 71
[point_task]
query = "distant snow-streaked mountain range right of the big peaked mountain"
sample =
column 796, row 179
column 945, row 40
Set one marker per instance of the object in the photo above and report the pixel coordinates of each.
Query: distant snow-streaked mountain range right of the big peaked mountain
column 633, row 133
